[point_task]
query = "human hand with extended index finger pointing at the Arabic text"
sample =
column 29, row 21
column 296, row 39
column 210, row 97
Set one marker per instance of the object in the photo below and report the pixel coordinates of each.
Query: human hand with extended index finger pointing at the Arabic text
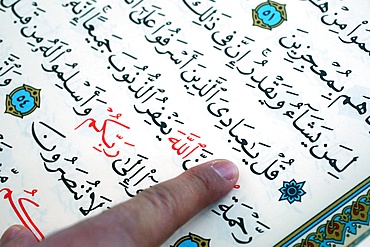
column 146, row 220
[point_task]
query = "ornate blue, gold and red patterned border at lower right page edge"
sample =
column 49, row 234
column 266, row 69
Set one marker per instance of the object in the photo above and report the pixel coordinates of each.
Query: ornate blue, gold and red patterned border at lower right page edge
column 344, row 217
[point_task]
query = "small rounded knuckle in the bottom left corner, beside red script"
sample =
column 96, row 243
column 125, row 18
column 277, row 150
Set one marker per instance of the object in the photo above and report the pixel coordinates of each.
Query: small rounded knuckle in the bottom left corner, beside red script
column 23, row 238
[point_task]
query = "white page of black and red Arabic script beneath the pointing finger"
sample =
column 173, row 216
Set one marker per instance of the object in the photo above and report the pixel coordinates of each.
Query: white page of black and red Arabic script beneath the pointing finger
column 103, row 100
